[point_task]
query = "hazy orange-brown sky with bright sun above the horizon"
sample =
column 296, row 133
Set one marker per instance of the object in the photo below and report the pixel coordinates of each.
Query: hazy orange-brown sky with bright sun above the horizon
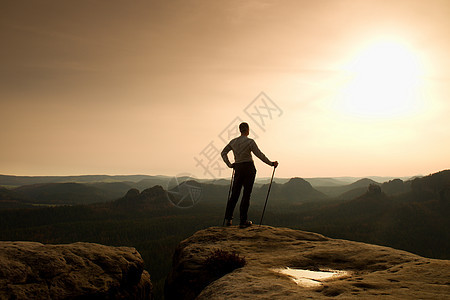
column 351, row 88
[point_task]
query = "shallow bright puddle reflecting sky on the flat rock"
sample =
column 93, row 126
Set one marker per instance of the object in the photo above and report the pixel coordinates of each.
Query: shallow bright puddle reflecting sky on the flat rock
column 309, row 278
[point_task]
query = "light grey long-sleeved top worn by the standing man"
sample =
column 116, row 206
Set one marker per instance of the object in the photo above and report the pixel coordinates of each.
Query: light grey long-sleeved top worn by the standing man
column 242, row 147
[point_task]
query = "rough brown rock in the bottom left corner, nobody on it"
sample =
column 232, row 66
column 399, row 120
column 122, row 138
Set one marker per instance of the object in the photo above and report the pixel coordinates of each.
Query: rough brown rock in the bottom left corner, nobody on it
column 30, row 270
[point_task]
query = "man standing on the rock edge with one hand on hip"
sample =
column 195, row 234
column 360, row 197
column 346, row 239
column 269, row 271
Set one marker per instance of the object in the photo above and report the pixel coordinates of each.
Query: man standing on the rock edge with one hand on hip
column 245, row 172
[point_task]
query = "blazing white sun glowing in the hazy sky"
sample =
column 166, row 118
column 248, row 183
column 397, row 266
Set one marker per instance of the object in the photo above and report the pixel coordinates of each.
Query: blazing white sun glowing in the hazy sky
column 384, row 82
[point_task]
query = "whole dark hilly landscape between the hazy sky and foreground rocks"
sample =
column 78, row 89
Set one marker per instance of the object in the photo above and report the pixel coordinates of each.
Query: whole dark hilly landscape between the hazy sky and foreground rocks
column 149, row 214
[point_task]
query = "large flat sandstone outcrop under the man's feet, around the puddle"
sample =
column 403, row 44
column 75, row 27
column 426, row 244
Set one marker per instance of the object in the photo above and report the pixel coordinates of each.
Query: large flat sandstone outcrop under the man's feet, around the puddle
column 374, row 271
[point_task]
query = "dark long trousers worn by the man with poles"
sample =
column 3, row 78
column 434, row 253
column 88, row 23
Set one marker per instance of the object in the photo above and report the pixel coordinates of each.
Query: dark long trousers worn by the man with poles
column 244, row 176
